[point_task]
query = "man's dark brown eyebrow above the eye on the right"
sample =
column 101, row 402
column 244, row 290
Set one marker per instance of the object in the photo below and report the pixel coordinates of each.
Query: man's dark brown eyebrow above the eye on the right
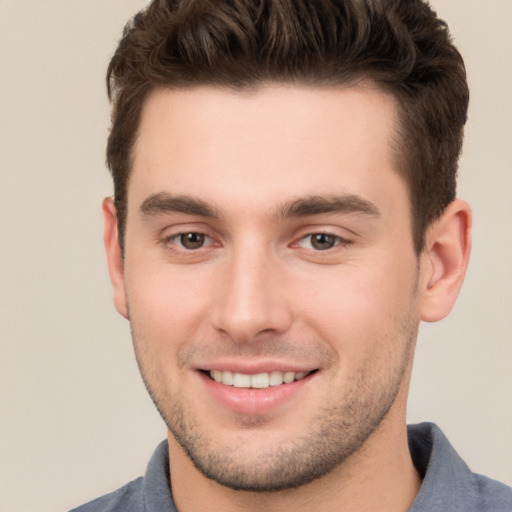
column 316, row 205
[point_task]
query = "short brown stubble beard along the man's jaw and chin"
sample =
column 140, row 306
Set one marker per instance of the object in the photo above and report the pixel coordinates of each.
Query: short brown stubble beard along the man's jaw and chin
column 336, row 433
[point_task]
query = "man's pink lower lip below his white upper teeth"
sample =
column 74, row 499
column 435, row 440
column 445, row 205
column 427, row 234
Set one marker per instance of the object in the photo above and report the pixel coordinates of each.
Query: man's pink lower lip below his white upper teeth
column 251, row 401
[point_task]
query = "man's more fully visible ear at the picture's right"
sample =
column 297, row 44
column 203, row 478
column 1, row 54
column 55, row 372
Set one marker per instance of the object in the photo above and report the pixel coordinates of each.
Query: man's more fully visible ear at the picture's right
column 445, row 260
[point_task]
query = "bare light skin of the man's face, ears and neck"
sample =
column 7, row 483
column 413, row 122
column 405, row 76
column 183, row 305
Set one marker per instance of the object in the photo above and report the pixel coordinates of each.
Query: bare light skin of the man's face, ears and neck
column 259, row 174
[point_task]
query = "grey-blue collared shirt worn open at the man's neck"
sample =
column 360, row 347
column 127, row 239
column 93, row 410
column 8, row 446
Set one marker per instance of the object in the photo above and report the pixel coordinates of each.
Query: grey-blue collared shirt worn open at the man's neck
column 448, row 484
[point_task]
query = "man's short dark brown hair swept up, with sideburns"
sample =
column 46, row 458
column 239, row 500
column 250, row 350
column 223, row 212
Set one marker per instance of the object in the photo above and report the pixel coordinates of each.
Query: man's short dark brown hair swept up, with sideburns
column 400, row 45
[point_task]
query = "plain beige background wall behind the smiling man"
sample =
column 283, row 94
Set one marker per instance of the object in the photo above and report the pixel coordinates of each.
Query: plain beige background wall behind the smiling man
column 75, row 420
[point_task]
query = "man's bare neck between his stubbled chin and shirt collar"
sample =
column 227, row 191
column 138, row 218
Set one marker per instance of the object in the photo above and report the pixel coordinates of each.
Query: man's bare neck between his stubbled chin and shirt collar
column 380, row 476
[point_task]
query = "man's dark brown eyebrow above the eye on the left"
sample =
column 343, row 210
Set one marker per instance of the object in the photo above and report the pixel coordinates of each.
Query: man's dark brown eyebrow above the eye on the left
column 161, row 203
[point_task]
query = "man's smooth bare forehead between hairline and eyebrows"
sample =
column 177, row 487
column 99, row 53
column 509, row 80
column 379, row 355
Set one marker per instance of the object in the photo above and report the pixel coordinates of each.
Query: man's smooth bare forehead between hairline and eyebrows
column 260, row 145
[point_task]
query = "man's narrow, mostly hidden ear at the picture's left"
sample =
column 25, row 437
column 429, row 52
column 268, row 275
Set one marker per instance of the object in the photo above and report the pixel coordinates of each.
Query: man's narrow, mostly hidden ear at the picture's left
column 114, row 256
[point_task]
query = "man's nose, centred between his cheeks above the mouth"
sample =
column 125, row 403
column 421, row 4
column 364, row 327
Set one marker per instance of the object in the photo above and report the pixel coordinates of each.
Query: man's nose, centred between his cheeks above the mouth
column 251, row 298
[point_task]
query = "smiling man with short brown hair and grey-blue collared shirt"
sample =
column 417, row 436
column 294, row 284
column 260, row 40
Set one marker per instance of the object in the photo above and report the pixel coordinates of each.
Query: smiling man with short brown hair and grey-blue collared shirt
column 284, row 217
